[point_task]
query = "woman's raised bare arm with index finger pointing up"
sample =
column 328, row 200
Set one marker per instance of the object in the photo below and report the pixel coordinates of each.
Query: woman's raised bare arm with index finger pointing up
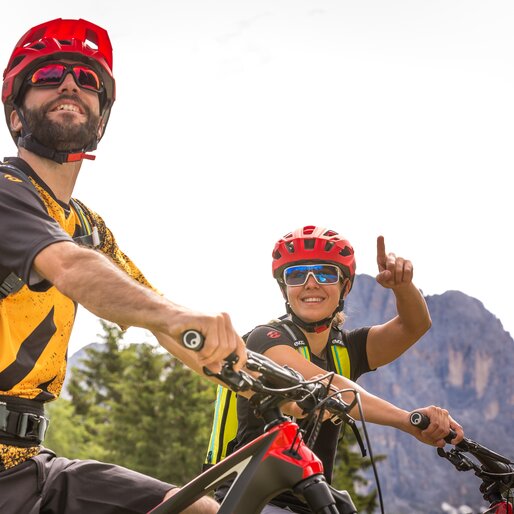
column 387, row 342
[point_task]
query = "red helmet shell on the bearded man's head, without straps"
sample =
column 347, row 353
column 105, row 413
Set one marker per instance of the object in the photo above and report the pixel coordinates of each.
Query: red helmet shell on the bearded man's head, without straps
column 78, row 40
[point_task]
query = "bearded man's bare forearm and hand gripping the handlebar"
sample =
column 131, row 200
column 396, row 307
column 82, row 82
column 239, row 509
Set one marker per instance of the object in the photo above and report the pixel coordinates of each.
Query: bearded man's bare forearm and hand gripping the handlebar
column 94, row 281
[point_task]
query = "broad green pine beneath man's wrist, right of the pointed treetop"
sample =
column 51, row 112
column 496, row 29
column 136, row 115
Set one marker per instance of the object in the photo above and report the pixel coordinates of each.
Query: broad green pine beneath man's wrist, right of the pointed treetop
column 160, row 426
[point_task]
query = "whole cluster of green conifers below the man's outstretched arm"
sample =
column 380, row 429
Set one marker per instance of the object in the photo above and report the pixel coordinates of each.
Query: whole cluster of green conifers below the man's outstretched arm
column 137, row 406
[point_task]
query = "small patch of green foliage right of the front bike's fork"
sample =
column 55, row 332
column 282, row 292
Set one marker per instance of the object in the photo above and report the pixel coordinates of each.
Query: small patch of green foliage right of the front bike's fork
column 348, row 473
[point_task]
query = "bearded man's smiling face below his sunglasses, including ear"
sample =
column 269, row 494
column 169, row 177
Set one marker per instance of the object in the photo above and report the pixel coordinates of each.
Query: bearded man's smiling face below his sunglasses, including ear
column 65, row 117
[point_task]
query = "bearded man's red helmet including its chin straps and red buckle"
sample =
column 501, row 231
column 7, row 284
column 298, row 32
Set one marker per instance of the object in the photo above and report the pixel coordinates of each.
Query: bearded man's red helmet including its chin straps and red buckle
column 59, row 39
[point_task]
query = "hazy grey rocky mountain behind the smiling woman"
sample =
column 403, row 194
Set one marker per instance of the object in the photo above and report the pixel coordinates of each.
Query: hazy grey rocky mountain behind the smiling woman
column 464, row 363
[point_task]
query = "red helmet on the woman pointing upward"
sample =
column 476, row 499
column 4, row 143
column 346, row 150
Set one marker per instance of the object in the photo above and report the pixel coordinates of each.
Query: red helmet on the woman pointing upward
column 312, row 243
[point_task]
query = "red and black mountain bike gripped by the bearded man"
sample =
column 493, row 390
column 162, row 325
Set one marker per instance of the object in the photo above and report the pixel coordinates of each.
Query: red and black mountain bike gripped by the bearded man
column 279, row 460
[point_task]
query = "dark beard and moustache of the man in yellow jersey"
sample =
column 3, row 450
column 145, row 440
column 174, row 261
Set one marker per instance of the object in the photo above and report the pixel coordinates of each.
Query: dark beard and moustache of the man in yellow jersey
column 65, row 135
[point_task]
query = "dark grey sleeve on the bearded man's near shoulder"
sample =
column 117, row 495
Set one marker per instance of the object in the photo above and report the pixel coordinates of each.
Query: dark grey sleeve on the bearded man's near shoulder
column 25, row 226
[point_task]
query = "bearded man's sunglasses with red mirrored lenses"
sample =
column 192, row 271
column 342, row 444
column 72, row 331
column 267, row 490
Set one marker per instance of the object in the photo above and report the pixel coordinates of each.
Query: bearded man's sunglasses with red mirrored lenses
column 53, row 74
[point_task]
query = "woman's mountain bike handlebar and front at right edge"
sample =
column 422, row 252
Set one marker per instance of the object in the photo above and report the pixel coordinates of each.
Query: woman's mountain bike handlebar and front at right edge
column 494, row 470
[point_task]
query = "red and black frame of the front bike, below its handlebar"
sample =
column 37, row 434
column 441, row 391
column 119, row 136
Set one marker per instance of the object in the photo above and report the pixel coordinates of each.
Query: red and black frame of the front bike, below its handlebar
column 277, row 461
